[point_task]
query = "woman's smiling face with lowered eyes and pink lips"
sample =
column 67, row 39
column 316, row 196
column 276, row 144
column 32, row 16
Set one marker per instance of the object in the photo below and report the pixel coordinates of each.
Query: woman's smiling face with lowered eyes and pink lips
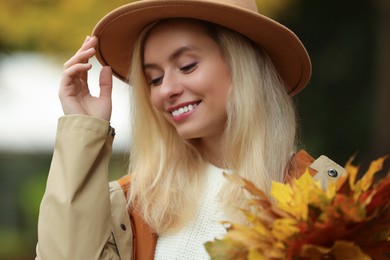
column 189, row 79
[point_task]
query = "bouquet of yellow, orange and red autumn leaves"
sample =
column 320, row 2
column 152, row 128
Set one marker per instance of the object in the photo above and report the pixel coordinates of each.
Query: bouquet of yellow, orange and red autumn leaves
column 348, row 220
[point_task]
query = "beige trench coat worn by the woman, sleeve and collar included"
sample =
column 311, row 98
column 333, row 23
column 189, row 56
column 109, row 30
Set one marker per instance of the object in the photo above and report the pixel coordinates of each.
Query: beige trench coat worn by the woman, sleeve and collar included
column 81, row 217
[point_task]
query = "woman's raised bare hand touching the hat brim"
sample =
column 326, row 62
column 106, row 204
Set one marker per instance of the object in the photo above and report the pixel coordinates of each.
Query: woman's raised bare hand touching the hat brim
column 74, row 91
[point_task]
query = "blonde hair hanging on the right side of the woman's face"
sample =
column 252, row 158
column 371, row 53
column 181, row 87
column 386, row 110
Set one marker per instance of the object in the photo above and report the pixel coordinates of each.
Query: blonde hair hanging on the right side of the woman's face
column 261, row 128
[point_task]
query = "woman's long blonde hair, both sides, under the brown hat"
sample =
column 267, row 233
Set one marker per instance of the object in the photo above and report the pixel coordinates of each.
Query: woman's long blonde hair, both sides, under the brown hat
column 166, row 170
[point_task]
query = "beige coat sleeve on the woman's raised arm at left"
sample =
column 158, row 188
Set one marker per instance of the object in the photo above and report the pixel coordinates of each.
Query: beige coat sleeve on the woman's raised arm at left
column 75, row 217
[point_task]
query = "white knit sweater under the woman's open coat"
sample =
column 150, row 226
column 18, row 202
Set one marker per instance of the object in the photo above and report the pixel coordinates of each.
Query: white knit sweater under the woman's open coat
column 188, row 242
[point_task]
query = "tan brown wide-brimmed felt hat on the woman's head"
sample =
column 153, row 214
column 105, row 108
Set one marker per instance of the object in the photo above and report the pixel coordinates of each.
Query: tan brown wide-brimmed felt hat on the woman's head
column 118, row 30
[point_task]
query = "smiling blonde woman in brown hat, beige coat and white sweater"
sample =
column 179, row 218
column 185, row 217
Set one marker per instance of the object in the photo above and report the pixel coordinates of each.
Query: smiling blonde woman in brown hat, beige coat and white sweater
column 212, row 85
